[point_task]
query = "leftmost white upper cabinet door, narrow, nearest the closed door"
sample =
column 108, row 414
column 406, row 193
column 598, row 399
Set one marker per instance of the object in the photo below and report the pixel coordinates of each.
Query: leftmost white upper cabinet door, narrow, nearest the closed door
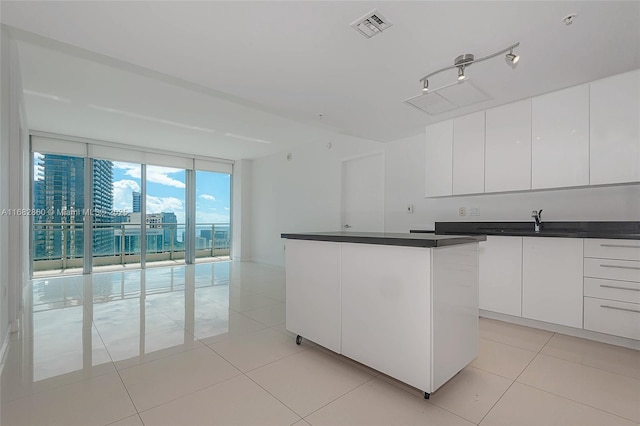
column 439, row 159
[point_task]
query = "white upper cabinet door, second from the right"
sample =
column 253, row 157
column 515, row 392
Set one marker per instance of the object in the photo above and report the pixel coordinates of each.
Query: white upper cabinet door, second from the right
column 560, row 138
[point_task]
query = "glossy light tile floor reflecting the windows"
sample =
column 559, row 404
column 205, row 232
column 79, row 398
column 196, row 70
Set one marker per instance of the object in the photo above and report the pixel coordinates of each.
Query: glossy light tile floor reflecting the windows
column 206, row 344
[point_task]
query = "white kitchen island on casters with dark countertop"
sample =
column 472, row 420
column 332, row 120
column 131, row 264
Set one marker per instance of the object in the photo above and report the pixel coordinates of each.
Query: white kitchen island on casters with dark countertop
column 403, row 304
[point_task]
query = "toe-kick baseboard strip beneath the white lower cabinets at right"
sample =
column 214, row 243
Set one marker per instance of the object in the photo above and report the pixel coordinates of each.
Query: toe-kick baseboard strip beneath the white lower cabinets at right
column 556, row 328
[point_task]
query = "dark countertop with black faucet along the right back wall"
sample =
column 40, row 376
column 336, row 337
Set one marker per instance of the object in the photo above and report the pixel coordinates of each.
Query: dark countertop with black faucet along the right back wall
column 628, row 230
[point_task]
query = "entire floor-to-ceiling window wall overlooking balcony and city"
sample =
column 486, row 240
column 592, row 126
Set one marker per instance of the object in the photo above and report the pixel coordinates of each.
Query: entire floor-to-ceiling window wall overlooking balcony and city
column 103, row 205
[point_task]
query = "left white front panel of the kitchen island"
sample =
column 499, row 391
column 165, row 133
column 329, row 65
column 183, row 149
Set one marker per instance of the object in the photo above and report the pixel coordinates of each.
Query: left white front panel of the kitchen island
column 313, row 291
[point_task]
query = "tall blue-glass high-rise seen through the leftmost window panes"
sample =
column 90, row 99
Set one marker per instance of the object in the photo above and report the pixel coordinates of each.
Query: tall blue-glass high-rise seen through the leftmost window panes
column 59, row 192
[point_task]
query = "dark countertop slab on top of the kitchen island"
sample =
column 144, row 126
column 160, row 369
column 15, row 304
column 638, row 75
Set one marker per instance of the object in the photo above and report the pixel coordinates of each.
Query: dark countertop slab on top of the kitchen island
column 389, row 239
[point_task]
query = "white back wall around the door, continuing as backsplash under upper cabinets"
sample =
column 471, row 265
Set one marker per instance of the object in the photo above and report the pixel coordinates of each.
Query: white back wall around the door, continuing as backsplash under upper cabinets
column 304, row 195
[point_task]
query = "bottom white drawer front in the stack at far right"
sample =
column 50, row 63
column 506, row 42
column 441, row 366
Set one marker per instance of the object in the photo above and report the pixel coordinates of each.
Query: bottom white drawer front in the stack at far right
column 611, row 317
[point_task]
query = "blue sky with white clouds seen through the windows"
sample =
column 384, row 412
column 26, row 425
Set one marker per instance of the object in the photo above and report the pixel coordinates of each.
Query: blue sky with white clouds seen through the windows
column 166, row 192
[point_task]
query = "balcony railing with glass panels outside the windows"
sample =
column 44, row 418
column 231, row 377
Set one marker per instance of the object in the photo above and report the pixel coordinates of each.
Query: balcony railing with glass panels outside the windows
column 60, row 245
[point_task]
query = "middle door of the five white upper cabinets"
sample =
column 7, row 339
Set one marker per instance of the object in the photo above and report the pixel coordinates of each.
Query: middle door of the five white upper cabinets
column 508, row 147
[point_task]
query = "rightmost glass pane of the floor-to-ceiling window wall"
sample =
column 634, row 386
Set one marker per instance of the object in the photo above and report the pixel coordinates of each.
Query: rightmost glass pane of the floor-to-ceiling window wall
column 213, row 207
